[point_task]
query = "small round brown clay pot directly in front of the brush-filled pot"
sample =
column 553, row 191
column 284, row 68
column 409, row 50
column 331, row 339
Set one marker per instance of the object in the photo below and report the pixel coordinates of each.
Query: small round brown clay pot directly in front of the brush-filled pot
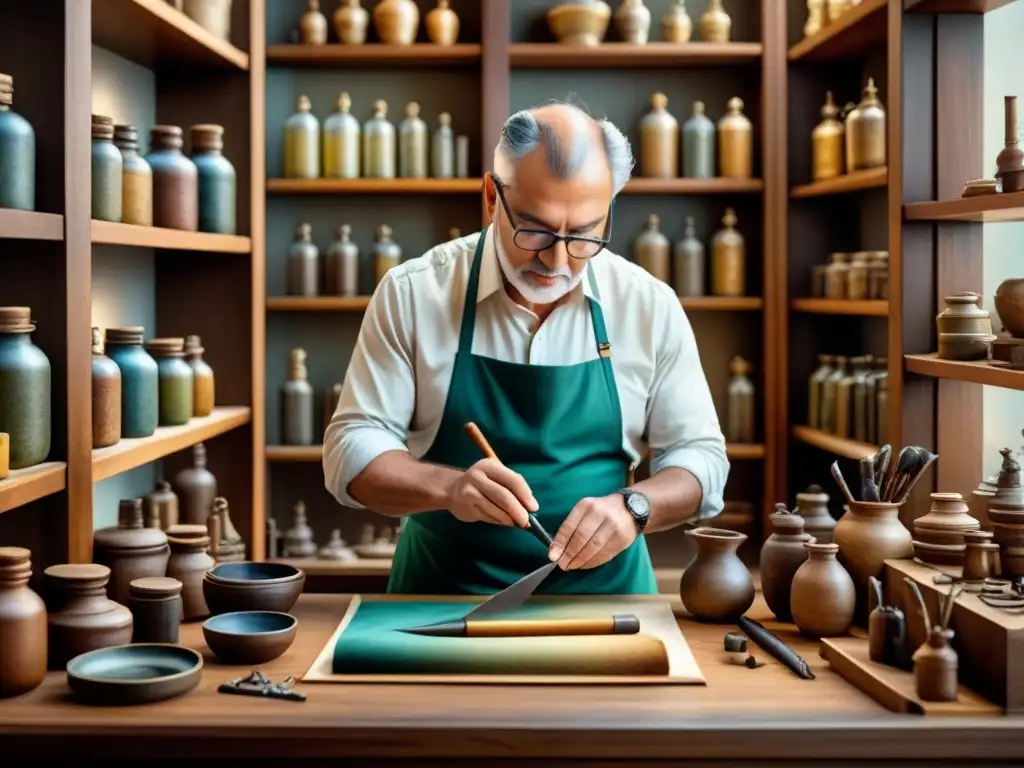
column 824, row 598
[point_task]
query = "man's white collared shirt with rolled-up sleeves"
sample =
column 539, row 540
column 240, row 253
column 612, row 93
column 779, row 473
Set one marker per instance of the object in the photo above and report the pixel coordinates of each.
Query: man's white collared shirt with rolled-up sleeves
column 398, row 381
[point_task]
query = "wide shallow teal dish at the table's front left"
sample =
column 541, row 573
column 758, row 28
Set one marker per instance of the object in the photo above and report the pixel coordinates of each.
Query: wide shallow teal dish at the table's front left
column 126, row 675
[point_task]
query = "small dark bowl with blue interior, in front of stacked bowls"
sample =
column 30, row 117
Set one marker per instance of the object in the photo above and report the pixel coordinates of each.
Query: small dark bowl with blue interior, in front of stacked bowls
column 250, row 636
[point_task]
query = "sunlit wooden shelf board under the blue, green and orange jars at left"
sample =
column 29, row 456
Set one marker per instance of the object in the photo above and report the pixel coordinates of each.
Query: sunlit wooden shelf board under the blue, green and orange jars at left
column 132, row 453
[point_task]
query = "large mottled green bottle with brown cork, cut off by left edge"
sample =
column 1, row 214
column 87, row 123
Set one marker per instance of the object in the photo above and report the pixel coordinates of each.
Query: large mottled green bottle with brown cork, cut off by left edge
column 25, row 390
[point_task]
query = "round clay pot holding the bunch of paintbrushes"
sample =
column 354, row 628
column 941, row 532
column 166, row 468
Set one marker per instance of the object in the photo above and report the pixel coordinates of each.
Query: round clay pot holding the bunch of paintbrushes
column 869, row 535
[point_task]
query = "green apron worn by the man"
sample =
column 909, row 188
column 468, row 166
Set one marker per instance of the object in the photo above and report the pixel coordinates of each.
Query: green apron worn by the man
column 559, row 426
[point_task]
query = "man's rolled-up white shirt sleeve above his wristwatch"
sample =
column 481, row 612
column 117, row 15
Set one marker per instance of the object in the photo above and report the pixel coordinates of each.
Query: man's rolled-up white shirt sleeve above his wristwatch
column 684, row 430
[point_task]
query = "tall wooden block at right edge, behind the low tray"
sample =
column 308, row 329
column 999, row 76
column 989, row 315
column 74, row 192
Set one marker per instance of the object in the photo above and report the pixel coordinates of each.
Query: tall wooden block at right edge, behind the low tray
column 990, row 642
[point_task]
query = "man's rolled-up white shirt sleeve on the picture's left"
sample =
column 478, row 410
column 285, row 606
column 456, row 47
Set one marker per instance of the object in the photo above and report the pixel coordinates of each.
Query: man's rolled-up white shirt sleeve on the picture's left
column 379, row 395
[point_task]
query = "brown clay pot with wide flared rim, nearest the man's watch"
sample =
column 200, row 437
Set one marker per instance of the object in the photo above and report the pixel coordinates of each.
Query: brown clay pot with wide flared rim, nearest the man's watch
column 717, row 587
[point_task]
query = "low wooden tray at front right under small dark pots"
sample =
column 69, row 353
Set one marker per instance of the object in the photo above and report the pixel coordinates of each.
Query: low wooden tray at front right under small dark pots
column 894, row 689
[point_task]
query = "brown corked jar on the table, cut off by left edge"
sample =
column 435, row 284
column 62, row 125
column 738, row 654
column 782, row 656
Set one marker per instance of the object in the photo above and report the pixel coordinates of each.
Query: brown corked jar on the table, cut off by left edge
column 23, row 626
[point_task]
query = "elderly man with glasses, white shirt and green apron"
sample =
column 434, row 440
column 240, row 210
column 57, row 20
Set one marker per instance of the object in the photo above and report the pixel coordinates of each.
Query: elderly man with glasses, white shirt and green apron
column 571, row 360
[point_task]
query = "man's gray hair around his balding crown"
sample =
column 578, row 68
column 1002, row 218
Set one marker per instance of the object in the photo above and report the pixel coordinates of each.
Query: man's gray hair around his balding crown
column 523, row 134
